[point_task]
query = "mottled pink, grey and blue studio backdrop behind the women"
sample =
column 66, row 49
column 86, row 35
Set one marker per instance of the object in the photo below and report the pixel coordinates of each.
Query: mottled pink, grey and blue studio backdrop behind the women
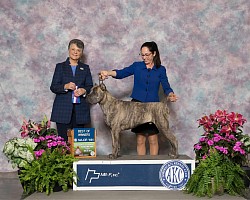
column 204, row 45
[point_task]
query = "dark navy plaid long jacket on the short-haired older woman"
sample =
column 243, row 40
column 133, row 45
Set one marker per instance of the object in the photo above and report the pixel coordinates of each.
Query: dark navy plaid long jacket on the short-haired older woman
column 63, row 106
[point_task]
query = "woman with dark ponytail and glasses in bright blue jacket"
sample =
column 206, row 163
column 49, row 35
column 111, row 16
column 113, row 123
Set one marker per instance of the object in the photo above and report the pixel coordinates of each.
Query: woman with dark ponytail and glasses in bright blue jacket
column 148, row 75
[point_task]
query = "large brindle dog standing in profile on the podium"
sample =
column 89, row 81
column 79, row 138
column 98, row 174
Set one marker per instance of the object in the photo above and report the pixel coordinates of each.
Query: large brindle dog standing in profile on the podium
column 122, row 115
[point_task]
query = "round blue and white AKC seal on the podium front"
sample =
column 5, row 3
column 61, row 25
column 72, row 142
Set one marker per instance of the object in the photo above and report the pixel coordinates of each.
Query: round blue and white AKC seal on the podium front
column 174, row 174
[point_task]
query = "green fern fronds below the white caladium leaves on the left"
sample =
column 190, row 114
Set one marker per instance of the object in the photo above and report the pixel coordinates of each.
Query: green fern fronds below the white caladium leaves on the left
column 51, row 169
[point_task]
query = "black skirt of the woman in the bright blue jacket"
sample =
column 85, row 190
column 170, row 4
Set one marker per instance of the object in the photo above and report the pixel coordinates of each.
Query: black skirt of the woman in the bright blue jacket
column 146, row 128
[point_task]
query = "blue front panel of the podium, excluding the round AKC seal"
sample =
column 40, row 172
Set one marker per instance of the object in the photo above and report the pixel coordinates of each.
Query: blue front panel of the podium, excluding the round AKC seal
column 91, row 175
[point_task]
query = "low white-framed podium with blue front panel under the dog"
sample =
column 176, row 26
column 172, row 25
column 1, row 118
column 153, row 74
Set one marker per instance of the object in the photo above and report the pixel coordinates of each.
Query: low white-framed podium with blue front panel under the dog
column 132, row 172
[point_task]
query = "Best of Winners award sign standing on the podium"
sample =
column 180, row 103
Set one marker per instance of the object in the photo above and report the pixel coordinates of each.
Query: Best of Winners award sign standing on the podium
column 83, row 142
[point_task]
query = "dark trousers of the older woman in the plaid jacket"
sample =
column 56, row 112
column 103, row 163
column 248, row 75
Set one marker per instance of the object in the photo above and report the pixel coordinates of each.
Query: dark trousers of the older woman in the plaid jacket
column 62, row 129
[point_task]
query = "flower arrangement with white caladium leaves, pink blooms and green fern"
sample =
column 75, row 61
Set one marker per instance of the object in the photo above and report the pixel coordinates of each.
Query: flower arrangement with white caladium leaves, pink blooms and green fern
column 43, row 158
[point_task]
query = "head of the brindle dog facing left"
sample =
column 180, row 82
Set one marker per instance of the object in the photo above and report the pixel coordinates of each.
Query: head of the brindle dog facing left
column 96, row 94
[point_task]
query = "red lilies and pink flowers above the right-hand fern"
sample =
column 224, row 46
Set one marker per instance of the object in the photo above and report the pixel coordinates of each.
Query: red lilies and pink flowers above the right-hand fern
column 223, row 132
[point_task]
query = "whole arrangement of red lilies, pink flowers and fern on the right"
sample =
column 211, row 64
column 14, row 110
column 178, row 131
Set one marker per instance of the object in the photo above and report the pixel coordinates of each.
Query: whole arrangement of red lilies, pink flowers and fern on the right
column 220, row 152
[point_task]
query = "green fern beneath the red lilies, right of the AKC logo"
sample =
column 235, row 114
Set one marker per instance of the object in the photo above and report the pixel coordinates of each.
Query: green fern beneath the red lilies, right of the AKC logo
column 216, row 174
